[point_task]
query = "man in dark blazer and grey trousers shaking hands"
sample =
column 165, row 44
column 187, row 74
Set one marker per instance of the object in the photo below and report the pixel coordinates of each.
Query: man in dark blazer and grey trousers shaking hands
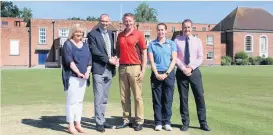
column 101, row 45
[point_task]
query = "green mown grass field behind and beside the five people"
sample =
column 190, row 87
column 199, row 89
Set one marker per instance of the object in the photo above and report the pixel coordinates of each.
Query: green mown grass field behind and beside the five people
column 239, row 99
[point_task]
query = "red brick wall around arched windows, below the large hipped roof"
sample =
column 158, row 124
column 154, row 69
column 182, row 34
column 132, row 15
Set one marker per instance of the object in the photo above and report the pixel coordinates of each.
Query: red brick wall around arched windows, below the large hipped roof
column 238, row 41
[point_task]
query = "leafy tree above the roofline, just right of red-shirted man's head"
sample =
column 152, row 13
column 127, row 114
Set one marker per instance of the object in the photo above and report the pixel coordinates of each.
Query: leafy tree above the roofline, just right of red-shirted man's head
column 144, row 13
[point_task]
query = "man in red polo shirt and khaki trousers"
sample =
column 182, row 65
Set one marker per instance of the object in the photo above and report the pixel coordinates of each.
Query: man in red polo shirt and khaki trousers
column 132, row 52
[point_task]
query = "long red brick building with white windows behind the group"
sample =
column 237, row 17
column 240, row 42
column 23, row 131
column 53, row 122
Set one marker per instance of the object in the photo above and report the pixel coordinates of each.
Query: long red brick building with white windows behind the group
column 38, row 42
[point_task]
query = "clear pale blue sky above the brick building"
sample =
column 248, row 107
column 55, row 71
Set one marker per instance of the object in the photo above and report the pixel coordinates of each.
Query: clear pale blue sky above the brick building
column 199, row 12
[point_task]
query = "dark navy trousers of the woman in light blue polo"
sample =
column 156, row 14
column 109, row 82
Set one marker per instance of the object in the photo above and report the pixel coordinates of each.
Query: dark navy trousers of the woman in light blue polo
column 162, row 92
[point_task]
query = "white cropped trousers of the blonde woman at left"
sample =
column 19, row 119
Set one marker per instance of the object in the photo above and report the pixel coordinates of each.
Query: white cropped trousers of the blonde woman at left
column 74, row 99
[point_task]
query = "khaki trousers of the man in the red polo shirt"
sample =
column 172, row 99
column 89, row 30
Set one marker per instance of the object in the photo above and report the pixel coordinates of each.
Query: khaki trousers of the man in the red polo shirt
column 128, row 79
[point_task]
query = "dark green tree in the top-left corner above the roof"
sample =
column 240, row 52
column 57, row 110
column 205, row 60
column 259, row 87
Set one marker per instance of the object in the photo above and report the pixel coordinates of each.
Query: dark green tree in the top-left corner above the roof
column 9, row 10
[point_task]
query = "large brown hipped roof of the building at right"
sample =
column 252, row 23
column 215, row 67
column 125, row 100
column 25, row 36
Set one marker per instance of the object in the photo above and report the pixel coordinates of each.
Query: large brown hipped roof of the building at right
column 244, row 18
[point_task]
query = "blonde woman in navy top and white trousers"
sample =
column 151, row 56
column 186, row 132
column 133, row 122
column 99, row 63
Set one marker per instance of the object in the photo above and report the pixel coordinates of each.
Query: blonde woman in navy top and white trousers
column 77, row 62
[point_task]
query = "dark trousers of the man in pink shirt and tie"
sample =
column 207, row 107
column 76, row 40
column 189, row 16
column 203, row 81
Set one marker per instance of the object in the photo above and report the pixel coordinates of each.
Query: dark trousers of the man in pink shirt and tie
column 195, row 80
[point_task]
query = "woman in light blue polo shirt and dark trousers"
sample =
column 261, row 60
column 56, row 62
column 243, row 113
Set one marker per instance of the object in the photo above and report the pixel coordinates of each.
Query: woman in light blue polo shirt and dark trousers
column 162, row 54
